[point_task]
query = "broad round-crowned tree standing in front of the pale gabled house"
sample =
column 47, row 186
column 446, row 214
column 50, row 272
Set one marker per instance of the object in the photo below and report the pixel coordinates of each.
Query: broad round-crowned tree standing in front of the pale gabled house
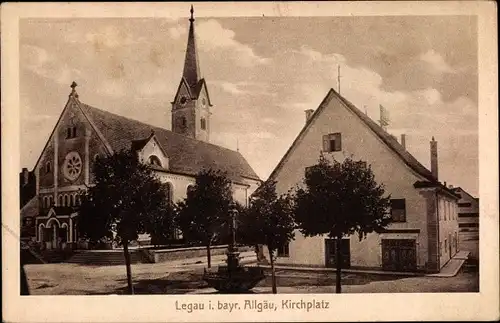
column 340, row 199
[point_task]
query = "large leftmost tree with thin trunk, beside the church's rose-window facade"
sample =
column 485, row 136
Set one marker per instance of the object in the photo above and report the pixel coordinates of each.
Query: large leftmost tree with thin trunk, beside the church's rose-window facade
column 122, row 204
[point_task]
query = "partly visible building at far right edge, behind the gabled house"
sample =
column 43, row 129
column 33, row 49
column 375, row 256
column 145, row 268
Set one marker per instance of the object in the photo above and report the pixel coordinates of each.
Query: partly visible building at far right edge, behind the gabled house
column 468, row 222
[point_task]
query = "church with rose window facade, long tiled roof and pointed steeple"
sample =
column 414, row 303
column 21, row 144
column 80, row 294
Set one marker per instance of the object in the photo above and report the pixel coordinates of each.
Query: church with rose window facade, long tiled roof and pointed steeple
column 84, row 133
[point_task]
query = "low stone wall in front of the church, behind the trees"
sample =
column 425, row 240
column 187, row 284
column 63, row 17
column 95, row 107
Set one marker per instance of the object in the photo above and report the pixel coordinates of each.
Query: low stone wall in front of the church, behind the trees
column 193, row 252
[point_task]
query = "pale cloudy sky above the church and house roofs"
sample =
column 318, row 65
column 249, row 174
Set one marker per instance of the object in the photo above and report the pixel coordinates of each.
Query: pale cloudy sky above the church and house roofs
column 262, row 73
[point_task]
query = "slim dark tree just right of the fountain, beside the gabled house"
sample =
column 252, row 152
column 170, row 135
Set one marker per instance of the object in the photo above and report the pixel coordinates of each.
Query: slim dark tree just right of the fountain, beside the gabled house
column 268, row 221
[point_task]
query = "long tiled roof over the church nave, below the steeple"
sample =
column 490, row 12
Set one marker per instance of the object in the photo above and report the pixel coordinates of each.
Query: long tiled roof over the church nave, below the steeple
column 186, row 155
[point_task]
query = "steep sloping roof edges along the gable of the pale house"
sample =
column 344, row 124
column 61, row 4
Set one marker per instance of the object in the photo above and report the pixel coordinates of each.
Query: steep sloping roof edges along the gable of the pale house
column 389, row 140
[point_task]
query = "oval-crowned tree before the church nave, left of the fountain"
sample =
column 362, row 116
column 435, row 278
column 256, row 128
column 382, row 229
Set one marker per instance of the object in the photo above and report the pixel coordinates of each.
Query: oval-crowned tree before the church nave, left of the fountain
column 203, row 215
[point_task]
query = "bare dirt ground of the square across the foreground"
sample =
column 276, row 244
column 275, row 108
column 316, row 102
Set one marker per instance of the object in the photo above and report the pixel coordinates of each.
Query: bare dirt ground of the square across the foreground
column 72, row 279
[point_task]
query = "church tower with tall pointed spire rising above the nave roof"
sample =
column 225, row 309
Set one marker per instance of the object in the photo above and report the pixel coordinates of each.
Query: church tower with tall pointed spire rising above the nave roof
column 191, row 105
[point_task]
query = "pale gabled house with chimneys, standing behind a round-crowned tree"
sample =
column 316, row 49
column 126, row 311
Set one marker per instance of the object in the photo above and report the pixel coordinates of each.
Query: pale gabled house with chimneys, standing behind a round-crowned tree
column 424, row 232
